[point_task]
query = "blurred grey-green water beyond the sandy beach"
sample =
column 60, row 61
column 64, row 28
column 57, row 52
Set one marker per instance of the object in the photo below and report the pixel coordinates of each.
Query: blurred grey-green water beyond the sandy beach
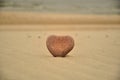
column 63, row 6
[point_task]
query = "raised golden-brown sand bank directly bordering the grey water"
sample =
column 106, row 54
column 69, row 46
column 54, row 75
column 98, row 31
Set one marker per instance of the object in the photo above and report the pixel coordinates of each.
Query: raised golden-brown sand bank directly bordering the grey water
column 7, row 17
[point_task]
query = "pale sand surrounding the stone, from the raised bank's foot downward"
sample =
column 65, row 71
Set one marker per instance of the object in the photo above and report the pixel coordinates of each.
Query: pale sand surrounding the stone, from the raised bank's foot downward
column 24, row 55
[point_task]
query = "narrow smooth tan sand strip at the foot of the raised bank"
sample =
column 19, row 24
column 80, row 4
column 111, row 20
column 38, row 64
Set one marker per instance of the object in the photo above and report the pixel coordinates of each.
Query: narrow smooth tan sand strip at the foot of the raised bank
column 69, row 27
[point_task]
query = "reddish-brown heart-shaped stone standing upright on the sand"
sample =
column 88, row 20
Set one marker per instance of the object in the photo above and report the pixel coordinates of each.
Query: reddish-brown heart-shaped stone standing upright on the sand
column 59, row 46
